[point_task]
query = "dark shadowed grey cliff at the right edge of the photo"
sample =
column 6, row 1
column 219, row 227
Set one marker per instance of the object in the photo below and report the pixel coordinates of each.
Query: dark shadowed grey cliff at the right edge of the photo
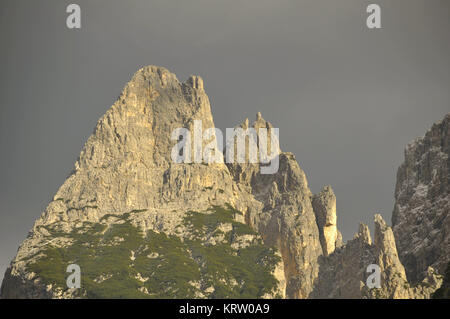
column 421, row 217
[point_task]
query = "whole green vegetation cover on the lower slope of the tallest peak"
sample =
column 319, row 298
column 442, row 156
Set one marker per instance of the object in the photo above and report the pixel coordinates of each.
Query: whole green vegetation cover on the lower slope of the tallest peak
column 122, row 262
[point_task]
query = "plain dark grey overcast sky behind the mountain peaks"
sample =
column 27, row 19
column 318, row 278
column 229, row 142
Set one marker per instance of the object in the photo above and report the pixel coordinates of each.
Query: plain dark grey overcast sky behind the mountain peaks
column 346, row 99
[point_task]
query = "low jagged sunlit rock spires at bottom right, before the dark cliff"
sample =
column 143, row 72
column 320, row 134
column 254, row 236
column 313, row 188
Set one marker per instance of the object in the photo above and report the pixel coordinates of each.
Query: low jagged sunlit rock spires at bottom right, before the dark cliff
column 344, row 273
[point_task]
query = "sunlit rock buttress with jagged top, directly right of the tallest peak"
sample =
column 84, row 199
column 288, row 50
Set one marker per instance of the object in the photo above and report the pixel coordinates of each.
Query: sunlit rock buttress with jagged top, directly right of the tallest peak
column 285, row 216
